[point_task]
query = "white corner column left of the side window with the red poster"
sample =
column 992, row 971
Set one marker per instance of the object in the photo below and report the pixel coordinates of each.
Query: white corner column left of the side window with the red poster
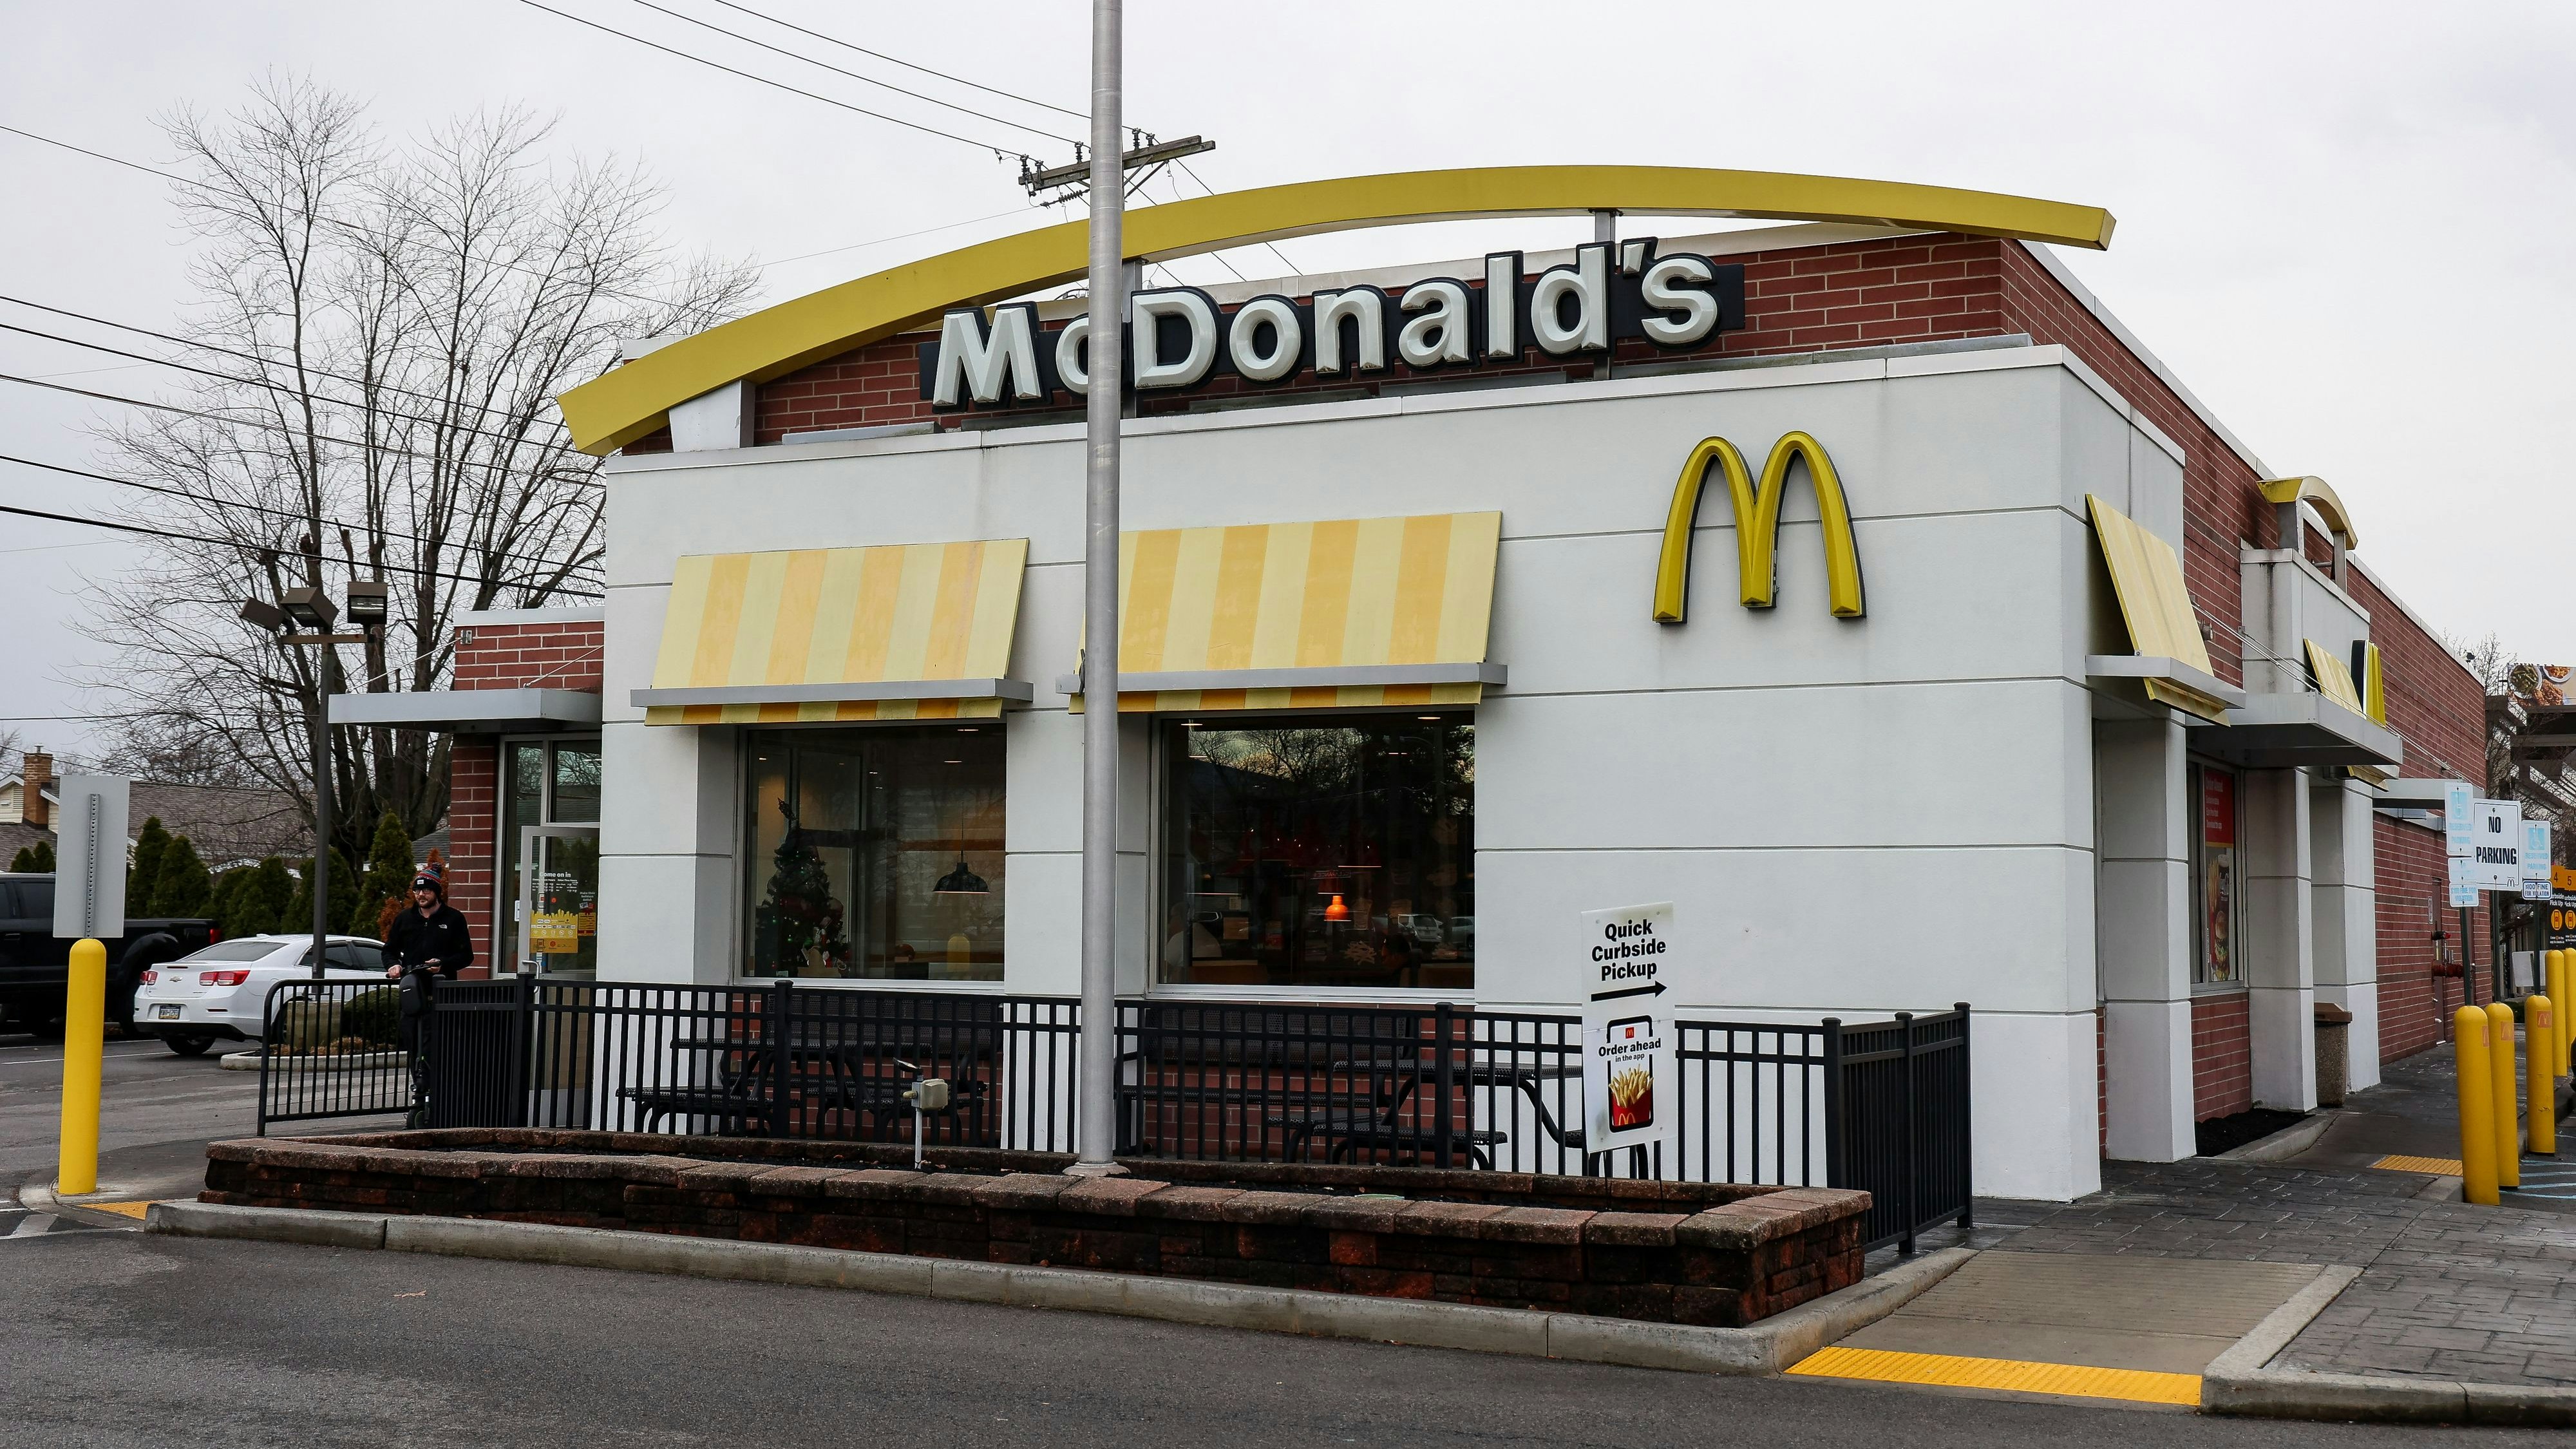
column 2145, row 937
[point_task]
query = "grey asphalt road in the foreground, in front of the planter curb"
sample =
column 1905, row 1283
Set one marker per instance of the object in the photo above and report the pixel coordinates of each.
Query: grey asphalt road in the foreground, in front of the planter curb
column 125, row 1339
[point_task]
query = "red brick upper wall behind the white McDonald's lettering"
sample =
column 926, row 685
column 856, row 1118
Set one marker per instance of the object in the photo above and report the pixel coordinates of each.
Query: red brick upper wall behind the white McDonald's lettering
column 1902, row 290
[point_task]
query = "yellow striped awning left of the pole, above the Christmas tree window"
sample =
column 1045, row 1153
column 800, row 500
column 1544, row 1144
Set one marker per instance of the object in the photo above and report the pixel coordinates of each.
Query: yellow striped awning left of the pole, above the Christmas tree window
column 818, row 636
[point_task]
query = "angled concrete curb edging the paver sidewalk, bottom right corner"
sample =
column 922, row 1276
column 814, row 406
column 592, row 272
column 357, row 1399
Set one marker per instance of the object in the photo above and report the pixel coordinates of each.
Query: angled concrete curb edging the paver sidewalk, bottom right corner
column 2240, row 1383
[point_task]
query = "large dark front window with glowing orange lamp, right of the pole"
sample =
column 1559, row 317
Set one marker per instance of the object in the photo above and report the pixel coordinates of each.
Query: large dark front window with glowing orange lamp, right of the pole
column 1323, row 852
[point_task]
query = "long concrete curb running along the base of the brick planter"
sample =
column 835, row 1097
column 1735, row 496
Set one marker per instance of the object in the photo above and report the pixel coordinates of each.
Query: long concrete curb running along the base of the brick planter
column 1761, row 1350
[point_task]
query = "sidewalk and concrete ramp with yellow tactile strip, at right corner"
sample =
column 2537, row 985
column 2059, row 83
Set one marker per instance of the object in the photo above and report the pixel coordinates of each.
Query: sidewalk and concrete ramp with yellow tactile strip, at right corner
column 2327, row 1270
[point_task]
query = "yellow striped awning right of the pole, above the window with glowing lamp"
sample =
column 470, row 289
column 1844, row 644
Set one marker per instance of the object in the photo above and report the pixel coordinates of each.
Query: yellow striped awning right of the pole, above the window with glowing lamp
column 1333, row 615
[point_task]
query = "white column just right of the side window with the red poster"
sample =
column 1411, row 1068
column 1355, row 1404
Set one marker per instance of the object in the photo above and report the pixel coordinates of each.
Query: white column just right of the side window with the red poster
column 2281, row 937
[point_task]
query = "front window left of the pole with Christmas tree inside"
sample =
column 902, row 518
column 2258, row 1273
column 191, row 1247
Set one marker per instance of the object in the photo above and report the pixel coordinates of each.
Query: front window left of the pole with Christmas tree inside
column 875, row 855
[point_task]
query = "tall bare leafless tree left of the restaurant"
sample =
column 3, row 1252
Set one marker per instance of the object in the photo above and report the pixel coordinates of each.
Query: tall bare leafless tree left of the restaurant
column 390, row 326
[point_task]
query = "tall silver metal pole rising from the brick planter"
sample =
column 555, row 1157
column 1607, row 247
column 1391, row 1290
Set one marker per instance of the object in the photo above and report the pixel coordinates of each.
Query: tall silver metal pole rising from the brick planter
column 1099, row 1094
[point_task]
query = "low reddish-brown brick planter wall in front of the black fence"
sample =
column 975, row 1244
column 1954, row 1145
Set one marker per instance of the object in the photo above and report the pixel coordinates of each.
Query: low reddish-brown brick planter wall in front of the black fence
column 1622, row 1249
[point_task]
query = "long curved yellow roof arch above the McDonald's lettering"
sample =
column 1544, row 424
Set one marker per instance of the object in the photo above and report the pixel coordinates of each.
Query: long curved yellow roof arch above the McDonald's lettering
column 632, row 401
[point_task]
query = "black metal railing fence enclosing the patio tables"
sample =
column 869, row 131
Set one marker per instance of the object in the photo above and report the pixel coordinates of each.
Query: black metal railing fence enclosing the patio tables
column 1879, row 1107
